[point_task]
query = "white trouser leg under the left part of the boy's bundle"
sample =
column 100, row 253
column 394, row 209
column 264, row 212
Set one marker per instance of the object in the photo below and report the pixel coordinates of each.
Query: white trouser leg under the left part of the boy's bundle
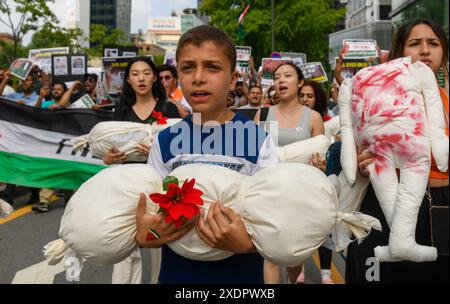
column 129, row 271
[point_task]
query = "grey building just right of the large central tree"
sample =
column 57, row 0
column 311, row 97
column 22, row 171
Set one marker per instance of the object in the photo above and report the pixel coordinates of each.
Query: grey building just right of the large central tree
column 365, row 19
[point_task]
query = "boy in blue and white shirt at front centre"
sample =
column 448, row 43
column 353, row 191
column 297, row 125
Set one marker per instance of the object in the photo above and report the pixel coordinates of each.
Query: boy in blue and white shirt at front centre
column 214, row 135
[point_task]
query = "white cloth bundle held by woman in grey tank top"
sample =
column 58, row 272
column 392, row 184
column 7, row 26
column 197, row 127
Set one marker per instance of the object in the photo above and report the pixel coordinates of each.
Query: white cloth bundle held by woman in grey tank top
column 301, row 151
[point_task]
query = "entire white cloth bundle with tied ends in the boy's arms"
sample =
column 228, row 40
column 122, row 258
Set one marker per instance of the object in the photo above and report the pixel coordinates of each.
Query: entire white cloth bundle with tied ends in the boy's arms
column 289, row 210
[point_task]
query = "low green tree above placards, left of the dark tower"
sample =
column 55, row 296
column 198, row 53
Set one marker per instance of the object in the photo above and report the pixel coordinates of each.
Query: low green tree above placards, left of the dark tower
column 48, row 37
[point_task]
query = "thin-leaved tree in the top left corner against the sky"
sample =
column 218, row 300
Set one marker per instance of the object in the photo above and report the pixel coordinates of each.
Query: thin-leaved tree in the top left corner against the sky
column 30, row 15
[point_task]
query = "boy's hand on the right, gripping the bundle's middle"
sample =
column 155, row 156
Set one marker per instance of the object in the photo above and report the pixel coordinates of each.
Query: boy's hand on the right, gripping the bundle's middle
column 223, row 229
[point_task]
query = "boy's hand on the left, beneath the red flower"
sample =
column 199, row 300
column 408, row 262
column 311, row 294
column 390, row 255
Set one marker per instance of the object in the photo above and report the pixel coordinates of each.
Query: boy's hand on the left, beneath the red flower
column 167, row 231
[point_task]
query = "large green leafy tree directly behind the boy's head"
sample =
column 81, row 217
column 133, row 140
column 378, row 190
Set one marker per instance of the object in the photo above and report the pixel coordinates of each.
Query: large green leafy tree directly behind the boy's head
column 300, row 25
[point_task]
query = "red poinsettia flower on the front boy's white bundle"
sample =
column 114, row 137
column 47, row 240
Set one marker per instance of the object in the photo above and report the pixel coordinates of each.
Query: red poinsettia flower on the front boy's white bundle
column 179, row 204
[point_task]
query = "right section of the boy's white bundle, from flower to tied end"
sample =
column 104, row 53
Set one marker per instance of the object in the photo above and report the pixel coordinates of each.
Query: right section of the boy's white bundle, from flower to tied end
column 289, row 210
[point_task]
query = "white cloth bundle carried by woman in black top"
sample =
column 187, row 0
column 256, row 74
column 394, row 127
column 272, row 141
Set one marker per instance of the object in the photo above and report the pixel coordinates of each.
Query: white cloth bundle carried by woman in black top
column 123, row 135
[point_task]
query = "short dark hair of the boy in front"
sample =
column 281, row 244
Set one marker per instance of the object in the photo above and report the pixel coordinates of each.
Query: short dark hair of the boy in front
column 207, row 33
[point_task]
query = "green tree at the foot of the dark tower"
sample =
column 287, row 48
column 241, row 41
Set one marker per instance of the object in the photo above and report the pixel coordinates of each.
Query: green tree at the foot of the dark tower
column 100, row 36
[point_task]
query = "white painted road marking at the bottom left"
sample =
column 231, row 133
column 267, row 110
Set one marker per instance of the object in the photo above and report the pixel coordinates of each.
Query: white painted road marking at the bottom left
column 40, row 273
